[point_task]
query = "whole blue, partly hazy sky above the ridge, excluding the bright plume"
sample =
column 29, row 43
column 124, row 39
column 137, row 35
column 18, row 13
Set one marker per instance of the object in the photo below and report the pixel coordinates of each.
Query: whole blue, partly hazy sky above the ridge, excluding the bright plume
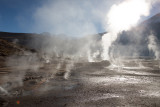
column 70, row 17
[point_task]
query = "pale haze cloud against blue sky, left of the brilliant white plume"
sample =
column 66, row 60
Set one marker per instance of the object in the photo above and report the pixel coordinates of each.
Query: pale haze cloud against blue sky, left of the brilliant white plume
column 71, row 17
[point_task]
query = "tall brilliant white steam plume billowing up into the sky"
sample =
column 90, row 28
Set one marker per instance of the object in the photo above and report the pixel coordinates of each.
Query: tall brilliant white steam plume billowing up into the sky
column 123, row 17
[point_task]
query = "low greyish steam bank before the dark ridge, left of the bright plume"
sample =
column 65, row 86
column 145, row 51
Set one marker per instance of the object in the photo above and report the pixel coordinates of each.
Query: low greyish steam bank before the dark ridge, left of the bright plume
column 86, row 48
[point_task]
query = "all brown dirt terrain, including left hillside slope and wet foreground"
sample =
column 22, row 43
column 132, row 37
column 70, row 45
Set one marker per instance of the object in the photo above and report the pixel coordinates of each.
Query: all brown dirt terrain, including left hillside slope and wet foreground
column 29, row 79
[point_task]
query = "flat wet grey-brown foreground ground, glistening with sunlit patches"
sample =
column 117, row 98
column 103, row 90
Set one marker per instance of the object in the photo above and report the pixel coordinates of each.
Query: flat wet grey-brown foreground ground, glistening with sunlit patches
column 130, row 83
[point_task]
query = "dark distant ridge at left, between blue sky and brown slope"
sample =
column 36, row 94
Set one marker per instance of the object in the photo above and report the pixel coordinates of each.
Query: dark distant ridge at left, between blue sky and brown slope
column 28, row 40
